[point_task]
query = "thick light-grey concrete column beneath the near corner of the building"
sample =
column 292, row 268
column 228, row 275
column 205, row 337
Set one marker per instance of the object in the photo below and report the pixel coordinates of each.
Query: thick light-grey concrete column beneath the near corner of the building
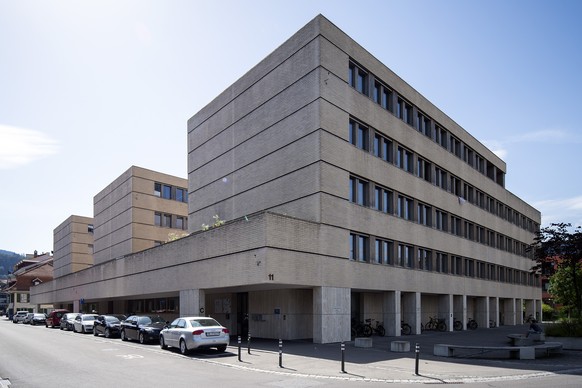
column 331, row 314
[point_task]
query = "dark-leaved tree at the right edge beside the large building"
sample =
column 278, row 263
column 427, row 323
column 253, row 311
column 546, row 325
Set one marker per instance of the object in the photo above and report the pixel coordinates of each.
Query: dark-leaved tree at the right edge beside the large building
column 558, row 247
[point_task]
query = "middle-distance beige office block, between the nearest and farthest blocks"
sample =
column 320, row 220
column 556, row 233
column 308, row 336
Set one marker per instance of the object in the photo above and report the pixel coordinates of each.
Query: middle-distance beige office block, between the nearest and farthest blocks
column 138, row 210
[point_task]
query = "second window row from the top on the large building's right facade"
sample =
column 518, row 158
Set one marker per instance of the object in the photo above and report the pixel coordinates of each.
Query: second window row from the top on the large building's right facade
column 360, row 135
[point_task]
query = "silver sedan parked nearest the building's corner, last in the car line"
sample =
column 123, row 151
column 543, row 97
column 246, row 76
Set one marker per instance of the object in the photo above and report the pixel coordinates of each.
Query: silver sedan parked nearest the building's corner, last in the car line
column 190, row 333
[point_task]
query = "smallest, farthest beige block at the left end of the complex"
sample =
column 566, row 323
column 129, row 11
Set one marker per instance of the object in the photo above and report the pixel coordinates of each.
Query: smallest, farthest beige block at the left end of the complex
column 73, row 245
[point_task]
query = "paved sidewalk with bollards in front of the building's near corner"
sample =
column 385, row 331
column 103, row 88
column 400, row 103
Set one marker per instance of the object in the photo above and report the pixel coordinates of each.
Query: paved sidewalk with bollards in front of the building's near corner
column 303, row 358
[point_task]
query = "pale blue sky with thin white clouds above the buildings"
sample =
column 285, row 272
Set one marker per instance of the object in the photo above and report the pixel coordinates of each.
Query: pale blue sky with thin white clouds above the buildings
column 90, row 88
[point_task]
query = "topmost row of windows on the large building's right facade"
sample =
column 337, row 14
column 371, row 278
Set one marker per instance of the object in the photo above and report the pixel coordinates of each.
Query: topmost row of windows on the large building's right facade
column 367, row 84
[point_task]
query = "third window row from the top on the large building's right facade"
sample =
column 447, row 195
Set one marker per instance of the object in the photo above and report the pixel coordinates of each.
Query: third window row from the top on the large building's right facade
column 383, row 199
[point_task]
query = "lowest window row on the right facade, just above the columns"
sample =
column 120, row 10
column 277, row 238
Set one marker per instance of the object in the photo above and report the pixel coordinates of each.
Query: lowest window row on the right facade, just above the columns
column 375, row 250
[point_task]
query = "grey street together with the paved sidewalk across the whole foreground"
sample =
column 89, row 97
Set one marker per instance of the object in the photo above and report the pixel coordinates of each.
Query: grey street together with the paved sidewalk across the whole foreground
column 34, row 356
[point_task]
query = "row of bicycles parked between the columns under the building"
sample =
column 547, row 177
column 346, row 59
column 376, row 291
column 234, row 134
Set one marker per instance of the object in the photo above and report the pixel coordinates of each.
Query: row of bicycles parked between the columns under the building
column 371, row 326
